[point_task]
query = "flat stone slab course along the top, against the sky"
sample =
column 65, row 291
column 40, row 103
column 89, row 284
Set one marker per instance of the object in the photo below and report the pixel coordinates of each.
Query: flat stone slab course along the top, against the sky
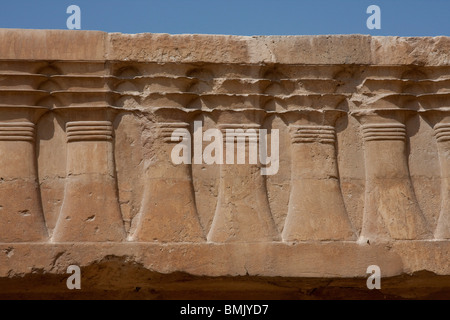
column 69, row 45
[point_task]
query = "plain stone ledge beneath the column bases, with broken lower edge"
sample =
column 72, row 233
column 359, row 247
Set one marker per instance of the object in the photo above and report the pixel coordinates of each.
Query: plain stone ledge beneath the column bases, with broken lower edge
column 304, row 259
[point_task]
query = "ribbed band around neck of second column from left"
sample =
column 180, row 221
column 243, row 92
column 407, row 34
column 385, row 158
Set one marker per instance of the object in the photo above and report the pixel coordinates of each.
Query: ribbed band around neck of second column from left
column 89, row 131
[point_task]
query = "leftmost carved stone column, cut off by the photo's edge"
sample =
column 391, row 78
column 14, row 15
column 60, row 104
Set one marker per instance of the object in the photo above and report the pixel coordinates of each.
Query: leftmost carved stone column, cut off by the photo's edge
column 21, row 215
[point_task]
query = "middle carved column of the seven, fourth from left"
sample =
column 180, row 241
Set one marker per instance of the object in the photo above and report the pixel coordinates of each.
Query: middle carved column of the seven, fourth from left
column 242, row 211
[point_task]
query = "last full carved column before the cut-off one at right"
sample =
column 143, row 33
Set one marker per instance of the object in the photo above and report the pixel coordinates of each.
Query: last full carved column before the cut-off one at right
column 391, row 210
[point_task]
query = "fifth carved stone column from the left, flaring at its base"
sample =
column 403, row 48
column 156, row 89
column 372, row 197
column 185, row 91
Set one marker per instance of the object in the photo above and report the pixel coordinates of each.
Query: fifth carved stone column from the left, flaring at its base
column 316, row 206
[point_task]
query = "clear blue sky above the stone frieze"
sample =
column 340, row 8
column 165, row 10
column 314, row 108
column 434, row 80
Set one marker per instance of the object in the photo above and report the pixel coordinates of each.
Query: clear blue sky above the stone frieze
column 236, row 17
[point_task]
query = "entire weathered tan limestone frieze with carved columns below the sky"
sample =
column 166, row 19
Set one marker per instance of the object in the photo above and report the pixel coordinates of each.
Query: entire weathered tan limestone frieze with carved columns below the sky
column 89, row 121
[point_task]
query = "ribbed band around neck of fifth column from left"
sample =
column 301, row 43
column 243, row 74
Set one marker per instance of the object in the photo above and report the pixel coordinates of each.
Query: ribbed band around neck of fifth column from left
column 310, row 133
